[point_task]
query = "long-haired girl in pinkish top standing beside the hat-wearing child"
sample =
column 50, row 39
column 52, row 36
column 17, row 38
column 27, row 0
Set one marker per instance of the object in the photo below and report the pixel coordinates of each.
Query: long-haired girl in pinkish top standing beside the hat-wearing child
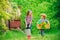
column 28, row 21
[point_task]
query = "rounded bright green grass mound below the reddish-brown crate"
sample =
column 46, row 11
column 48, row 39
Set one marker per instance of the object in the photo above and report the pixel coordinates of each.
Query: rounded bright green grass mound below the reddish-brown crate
column 13, row 35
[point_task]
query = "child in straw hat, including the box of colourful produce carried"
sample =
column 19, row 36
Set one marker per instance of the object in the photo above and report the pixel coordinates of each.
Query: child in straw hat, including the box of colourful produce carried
column 42, row 24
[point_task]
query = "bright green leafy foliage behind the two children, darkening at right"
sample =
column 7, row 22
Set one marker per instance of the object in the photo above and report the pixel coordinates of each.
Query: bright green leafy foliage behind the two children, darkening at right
column 50, row 7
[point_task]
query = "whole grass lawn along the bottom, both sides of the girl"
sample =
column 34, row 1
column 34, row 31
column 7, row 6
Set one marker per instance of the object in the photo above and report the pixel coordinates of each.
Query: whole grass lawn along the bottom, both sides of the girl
column 19, row 35
